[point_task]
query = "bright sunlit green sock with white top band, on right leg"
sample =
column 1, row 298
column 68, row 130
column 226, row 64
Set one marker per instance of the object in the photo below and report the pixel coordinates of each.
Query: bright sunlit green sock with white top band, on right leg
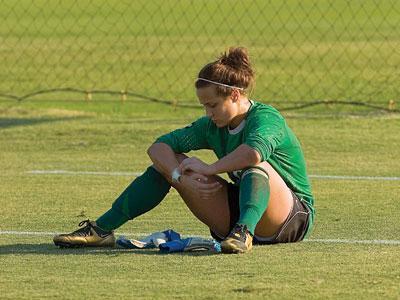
column 253, row 197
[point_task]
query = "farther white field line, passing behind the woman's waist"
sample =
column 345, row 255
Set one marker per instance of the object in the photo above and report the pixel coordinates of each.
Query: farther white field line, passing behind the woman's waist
column 332, row 177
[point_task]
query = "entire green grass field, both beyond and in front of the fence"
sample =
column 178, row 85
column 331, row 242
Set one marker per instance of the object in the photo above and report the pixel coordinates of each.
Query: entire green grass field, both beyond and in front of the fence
column 302, row 51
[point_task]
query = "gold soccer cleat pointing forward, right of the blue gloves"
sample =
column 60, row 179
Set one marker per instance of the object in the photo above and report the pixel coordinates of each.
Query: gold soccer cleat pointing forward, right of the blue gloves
column 239, row 240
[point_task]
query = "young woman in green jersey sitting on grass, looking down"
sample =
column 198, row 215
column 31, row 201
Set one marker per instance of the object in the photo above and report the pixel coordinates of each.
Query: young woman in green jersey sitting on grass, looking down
column 269, row 199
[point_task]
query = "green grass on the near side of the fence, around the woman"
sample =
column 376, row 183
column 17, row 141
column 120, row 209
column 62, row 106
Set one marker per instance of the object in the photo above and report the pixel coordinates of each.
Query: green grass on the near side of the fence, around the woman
column 112, row 137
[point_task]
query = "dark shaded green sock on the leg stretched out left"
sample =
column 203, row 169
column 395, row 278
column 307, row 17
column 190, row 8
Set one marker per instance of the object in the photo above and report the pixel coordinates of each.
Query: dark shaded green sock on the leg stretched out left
column 142, row 195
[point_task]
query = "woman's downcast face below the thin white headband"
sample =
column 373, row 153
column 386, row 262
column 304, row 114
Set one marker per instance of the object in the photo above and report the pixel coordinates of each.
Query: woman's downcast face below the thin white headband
column 220, row 109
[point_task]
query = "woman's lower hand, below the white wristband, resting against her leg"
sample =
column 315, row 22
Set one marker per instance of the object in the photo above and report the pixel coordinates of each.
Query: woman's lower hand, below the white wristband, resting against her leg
column 198, row 184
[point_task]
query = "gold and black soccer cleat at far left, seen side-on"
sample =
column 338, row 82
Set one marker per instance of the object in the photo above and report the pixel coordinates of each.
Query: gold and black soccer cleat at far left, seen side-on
column 89, row 235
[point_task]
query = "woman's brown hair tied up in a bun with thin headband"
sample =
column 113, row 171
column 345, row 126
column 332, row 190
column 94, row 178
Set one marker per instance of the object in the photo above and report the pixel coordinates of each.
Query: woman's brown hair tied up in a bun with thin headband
column 232, row 68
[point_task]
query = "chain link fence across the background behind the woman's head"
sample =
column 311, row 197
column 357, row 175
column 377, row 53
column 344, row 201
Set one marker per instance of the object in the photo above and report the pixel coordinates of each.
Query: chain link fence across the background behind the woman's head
column 304, row 51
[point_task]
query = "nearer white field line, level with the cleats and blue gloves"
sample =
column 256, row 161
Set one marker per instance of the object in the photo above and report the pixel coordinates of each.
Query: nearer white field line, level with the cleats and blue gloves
column 139, row 234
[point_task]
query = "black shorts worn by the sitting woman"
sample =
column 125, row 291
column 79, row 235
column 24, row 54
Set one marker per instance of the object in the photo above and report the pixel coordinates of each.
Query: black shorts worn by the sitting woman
column 293, row 229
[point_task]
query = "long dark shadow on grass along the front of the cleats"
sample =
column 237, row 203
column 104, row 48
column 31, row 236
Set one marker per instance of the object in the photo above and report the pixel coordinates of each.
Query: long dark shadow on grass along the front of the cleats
column 50, row 249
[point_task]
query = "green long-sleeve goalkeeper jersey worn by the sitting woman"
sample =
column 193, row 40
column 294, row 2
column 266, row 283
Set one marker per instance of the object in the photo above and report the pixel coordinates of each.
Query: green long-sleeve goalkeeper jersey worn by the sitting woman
column 265, row 130
